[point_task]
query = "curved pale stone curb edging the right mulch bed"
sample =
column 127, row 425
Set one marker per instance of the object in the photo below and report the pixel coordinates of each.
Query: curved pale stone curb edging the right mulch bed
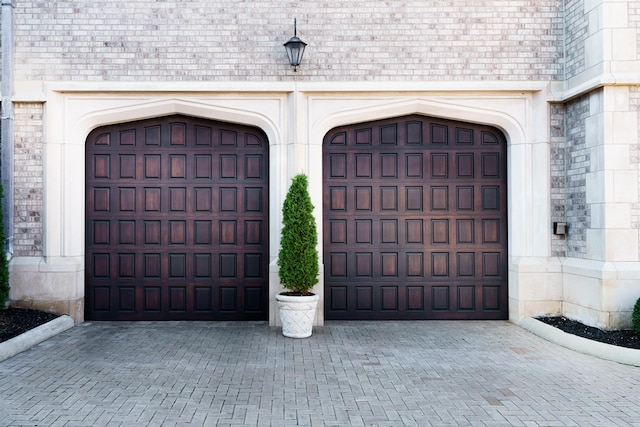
column 627, row 356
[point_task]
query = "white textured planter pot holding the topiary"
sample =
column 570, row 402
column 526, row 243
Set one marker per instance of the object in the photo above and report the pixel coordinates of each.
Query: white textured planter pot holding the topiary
column 297, row 314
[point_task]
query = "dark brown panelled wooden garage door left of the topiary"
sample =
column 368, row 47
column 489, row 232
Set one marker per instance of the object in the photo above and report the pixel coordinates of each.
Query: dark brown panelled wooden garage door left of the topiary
column 176, row 221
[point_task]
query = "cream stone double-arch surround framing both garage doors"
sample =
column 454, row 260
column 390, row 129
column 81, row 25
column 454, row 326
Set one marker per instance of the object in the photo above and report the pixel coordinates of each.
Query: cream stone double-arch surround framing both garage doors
column 295, row 119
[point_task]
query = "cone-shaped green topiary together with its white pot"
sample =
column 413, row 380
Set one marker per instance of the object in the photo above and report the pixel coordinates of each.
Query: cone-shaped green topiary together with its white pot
column 298, row 261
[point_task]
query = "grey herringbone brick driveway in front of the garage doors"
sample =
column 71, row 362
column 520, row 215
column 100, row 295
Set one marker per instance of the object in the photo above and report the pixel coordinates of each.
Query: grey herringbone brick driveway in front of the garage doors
column 346, row 374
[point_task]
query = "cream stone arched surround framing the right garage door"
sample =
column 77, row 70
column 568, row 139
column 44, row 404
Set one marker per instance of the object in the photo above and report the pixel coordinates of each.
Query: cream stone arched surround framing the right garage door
column 535, row 282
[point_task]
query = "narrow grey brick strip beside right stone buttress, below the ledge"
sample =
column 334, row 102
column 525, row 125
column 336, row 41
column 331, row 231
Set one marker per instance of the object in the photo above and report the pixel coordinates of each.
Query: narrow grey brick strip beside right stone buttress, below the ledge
column 577, row 163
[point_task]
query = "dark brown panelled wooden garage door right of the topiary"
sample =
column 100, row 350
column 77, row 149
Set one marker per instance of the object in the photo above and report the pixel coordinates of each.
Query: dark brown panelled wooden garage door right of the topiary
column 415, row 220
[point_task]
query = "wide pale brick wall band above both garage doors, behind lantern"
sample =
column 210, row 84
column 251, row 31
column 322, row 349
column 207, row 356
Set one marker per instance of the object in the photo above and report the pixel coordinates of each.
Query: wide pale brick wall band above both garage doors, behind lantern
column 242, row 40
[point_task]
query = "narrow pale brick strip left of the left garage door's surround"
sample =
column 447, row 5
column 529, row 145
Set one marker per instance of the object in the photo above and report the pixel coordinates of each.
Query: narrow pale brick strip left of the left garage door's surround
column 28, row 180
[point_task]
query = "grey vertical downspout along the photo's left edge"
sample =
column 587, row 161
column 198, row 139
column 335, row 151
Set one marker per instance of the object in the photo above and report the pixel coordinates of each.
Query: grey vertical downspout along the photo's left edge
column 7, row 137
